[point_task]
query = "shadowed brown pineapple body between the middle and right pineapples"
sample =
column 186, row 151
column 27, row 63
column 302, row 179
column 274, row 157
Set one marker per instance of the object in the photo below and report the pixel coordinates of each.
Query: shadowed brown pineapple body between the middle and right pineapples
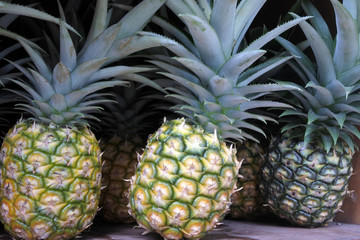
column 248, row 203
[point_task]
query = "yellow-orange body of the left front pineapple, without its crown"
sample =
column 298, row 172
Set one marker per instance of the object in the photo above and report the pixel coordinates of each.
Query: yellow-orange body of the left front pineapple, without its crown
column 50, row 181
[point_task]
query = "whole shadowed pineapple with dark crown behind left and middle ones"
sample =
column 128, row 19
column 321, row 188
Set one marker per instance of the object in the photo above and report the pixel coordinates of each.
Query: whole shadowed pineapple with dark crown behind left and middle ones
column 125, row 127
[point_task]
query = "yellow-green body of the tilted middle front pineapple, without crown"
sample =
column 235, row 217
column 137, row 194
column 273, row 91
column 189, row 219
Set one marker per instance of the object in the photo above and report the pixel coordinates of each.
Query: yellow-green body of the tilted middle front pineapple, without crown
column 183, row 181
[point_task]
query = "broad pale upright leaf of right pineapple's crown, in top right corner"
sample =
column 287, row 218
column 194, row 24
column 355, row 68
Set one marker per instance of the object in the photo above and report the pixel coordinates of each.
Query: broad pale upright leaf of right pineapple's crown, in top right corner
column 347, row 38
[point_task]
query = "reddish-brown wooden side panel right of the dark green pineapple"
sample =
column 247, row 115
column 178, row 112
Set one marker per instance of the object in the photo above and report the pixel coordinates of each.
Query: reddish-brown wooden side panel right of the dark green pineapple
column 351, row 205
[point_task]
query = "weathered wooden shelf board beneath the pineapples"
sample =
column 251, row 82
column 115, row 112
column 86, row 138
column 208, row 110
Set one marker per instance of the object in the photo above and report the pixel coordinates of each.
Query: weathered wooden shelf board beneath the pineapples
column 230, row 230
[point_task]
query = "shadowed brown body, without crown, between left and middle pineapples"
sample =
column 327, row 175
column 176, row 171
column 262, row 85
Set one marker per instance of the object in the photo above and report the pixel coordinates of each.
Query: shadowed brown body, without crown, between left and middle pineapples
column 119, row 162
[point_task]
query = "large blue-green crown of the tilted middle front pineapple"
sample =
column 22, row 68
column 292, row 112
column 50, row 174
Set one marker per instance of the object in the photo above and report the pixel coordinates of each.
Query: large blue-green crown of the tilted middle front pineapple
column 212, row 74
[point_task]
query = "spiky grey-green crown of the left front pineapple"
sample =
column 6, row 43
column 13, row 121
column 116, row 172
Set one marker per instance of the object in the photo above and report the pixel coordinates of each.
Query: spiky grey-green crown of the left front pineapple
column 69, row 92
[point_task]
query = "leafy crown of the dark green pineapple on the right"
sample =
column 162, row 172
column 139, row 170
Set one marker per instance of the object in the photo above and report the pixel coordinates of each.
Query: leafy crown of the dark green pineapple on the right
column 327, row 106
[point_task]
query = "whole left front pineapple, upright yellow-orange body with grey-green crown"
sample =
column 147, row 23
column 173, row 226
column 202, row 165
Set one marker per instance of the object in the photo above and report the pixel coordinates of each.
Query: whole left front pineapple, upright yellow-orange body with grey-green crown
column 50, row 162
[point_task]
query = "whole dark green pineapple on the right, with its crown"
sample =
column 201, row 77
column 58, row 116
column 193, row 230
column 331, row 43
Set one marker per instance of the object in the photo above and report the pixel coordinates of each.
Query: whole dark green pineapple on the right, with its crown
column 305, row 177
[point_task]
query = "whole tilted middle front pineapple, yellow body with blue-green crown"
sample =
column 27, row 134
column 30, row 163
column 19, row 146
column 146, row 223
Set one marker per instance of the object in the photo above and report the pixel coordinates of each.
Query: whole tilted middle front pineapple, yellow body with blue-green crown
column 187, row 173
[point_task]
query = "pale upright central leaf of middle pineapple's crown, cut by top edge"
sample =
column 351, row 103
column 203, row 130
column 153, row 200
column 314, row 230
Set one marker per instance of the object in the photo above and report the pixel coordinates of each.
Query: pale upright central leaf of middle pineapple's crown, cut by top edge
column 223, row 20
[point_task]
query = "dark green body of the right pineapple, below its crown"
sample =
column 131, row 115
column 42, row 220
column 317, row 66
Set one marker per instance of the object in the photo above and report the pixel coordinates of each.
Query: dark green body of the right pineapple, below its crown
column 305, row 184
